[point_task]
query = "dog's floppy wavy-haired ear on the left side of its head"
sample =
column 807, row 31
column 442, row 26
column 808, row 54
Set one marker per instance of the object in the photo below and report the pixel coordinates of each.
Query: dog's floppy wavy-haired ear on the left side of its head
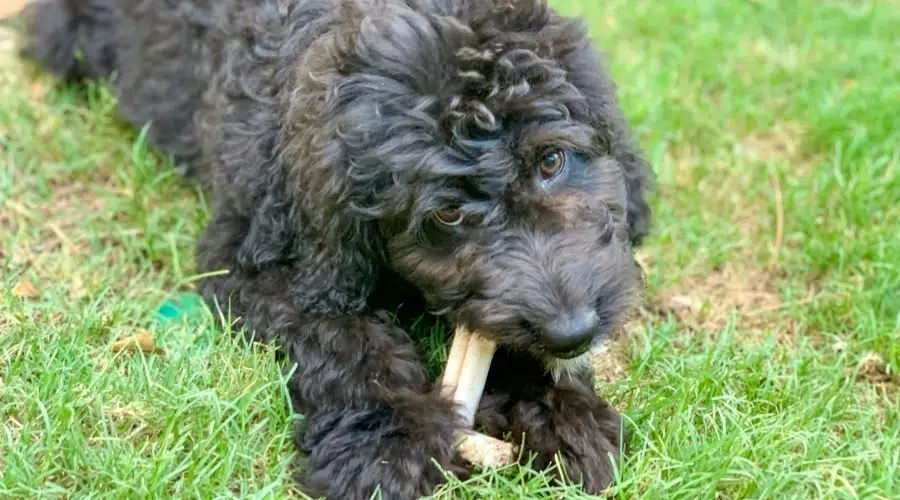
column 367, row 84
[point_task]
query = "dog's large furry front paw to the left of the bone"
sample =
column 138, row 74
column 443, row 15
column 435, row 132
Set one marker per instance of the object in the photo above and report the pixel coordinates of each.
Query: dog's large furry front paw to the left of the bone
column 390, row 451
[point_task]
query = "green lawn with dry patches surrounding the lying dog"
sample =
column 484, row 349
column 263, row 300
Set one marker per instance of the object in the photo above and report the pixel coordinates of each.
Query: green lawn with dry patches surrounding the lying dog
column 762, row 366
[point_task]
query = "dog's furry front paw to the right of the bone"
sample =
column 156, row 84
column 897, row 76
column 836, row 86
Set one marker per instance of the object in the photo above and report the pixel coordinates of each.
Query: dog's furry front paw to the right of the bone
column 570, row 422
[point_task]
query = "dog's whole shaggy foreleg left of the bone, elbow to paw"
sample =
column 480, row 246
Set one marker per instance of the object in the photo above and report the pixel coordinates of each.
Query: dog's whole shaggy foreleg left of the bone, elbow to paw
column 371, row 420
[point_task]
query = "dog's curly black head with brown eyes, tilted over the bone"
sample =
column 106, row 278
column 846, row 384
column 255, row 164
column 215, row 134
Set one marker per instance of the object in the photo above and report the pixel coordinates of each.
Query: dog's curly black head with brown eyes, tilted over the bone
column 483, row 142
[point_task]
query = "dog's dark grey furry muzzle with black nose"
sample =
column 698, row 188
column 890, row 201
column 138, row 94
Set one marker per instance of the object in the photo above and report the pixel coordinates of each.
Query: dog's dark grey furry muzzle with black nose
column 556, row 294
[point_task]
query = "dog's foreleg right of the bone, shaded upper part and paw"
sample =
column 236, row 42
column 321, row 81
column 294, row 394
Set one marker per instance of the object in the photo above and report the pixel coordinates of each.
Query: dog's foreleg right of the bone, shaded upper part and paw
column 553, row 420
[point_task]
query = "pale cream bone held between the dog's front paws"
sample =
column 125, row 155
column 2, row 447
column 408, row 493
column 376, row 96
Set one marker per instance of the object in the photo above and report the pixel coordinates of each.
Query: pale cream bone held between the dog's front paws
column 464, row 377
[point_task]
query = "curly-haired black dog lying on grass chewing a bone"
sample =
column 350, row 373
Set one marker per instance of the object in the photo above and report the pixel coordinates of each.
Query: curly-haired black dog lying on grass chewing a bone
column 461, row 157
